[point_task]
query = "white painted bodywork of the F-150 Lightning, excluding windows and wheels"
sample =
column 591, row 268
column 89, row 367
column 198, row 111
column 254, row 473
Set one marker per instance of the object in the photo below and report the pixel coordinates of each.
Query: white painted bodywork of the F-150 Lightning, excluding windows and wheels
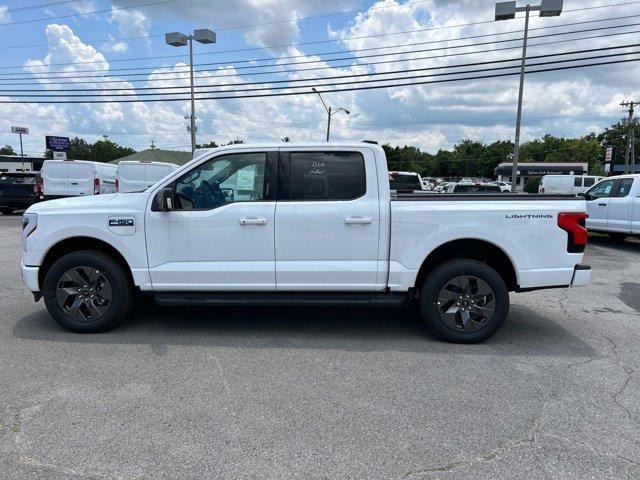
column 304, row 245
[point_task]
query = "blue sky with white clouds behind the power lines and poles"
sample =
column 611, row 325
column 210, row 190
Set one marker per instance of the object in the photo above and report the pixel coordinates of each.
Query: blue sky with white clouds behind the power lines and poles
column 567, row 103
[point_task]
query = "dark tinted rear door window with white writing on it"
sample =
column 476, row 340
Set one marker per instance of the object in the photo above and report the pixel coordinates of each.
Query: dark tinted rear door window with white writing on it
column 326, row 176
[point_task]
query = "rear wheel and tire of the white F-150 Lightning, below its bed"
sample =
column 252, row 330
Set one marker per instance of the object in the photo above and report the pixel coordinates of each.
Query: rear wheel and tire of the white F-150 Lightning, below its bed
column 458, row 318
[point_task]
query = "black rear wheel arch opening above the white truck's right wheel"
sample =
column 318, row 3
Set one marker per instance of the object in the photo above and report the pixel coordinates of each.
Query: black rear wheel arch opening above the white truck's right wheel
column 474, row 249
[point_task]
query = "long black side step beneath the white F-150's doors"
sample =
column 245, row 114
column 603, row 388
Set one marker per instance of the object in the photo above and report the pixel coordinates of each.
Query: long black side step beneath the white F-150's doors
column 278, row 298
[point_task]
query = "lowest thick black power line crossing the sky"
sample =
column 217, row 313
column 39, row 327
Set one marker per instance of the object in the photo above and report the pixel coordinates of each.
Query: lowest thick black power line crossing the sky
column 332, row 90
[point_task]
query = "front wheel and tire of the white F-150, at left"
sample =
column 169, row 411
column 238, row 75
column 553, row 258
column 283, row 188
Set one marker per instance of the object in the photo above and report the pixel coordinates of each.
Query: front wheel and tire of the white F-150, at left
column 74, row 305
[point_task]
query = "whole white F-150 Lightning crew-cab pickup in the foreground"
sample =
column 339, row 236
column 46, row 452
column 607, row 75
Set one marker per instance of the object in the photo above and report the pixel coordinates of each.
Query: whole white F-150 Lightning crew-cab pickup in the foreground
column 307, row 223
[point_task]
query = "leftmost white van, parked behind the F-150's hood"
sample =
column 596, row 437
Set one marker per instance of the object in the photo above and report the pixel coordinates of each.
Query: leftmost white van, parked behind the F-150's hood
column 74, row 178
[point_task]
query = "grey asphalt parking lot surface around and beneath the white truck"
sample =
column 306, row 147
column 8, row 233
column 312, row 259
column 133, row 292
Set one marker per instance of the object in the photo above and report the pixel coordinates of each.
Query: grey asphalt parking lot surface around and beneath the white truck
column 330, row 393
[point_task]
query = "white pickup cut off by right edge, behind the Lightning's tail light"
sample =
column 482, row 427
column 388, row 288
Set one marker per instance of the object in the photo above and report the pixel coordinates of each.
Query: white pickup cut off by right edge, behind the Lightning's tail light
column 613, row 205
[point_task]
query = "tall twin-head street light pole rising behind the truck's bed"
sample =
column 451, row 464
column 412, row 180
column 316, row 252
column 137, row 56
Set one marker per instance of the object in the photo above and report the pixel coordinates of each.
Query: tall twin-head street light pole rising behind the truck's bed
column 507, row 11
